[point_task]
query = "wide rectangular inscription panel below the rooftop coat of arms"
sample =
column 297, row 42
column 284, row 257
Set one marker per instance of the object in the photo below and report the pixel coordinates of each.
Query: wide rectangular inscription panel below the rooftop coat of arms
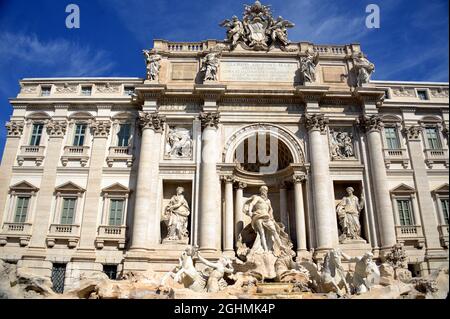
column 257, row 71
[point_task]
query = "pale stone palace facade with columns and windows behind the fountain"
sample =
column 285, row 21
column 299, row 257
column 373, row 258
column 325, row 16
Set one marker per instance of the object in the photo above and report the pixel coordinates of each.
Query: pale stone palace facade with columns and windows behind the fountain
column 93, row 190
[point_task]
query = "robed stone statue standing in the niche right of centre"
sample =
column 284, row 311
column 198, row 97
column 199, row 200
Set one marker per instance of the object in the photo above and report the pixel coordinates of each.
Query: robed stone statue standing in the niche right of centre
column 348, row 211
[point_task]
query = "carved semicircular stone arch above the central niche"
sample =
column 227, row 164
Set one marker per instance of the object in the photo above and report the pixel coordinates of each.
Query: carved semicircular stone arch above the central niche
column 290, row 140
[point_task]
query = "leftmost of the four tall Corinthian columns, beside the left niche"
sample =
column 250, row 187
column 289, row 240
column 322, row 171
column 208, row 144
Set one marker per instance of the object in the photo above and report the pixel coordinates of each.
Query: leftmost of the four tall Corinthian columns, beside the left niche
column 146, row 222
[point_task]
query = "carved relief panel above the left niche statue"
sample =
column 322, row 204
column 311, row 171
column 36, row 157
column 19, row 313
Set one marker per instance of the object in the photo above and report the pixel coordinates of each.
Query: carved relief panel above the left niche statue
column 179, row 143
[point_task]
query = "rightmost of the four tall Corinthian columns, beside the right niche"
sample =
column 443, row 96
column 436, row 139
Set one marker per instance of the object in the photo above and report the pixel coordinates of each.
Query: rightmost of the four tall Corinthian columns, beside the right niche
column 373, row 125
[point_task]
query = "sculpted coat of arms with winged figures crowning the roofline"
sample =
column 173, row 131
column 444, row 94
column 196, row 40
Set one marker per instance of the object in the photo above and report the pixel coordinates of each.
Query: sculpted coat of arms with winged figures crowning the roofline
column 258, row 30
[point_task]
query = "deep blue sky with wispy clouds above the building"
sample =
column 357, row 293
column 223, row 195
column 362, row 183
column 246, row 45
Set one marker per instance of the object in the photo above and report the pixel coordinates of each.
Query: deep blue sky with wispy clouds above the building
column 411, row 44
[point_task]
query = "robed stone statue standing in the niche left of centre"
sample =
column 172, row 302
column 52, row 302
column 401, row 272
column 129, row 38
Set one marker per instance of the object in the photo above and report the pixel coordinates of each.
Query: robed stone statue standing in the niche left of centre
column 175, row 217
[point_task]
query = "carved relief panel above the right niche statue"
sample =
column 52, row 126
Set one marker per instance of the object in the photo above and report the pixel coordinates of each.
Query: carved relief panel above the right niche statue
column 342, row 146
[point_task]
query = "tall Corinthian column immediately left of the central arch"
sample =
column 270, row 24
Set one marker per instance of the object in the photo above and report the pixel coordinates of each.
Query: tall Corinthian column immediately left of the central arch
column 209, row 210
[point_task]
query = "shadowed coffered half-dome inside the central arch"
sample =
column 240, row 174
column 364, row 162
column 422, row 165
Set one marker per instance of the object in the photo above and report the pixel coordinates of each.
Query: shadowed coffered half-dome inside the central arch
column 261, row 152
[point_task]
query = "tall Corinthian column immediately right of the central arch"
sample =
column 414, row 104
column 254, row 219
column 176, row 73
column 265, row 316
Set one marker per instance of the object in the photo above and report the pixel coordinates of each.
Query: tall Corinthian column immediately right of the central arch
column 325, row 217
